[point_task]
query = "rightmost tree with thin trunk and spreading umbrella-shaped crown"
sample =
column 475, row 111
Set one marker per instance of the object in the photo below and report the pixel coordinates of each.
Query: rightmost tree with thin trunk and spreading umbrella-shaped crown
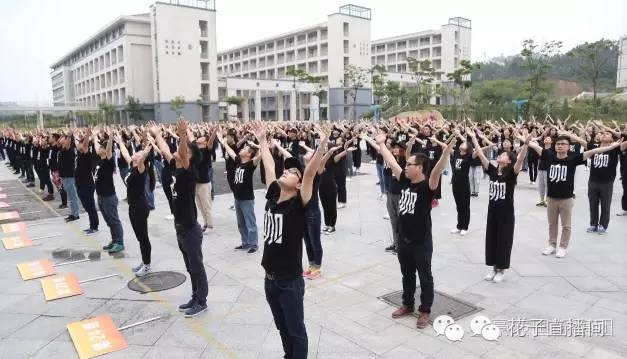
column 594, row 57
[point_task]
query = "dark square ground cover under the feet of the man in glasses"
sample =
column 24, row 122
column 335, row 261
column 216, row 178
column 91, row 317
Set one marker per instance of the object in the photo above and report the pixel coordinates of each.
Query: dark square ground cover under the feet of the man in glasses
column 443, row 304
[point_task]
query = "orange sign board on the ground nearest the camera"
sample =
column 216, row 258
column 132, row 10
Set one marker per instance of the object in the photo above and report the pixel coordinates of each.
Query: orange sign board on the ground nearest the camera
column 96, row 336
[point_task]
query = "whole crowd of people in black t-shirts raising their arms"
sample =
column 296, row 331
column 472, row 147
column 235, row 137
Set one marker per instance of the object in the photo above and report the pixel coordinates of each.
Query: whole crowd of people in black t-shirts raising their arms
column 305, row 168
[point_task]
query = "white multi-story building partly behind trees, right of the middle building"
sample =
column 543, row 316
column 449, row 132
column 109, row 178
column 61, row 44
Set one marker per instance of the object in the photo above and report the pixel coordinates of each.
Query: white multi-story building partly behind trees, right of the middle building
column 445, row 48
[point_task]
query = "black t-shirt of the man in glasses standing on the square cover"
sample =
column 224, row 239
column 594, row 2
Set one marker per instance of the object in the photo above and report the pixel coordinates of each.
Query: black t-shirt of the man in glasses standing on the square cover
column 414, row 209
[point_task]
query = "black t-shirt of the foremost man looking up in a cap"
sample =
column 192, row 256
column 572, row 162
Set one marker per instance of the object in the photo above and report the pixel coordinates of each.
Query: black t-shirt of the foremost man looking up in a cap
column 284, row 228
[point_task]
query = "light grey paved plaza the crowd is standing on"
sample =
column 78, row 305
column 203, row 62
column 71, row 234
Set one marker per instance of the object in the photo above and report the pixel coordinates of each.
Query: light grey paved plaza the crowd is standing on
column 344, row 315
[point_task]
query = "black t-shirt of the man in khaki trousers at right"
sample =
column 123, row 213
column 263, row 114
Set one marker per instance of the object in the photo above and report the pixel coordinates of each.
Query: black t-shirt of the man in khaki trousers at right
column 561, row 173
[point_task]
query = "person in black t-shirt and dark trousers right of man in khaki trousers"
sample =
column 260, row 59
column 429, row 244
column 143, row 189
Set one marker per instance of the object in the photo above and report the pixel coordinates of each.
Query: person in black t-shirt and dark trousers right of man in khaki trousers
column 601, row 183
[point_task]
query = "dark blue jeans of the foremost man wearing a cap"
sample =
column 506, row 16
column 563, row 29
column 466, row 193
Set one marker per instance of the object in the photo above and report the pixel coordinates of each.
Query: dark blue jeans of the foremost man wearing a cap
column 285, row 297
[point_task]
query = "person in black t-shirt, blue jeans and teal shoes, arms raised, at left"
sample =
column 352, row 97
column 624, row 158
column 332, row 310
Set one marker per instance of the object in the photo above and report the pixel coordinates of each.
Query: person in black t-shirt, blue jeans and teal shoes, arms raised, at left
column 107, row 198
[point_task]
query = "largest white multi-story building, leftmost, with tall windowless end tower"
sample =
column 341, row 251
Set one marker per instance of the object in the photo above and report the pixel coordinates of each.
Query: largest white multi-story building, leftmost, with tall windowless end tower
column 152, row 57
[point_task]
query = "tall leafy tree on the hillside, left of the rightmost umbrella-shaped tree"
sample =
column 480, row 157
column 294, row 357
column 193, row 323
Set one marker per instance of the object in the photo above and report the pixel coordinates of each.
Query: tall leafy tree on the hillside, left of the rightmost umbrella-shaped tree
column 537, row 63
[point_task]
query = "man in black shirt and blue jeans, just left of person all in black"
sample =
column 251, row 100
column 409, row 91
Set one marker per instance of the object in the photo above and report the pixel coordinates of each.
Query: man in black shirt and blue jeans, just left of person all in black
column 67, row 160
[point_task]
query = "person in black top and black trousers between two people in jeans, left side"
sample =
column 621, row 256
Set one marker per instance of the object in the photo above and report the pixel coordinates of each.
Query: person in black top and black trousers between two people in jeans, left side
column 85, row 182
